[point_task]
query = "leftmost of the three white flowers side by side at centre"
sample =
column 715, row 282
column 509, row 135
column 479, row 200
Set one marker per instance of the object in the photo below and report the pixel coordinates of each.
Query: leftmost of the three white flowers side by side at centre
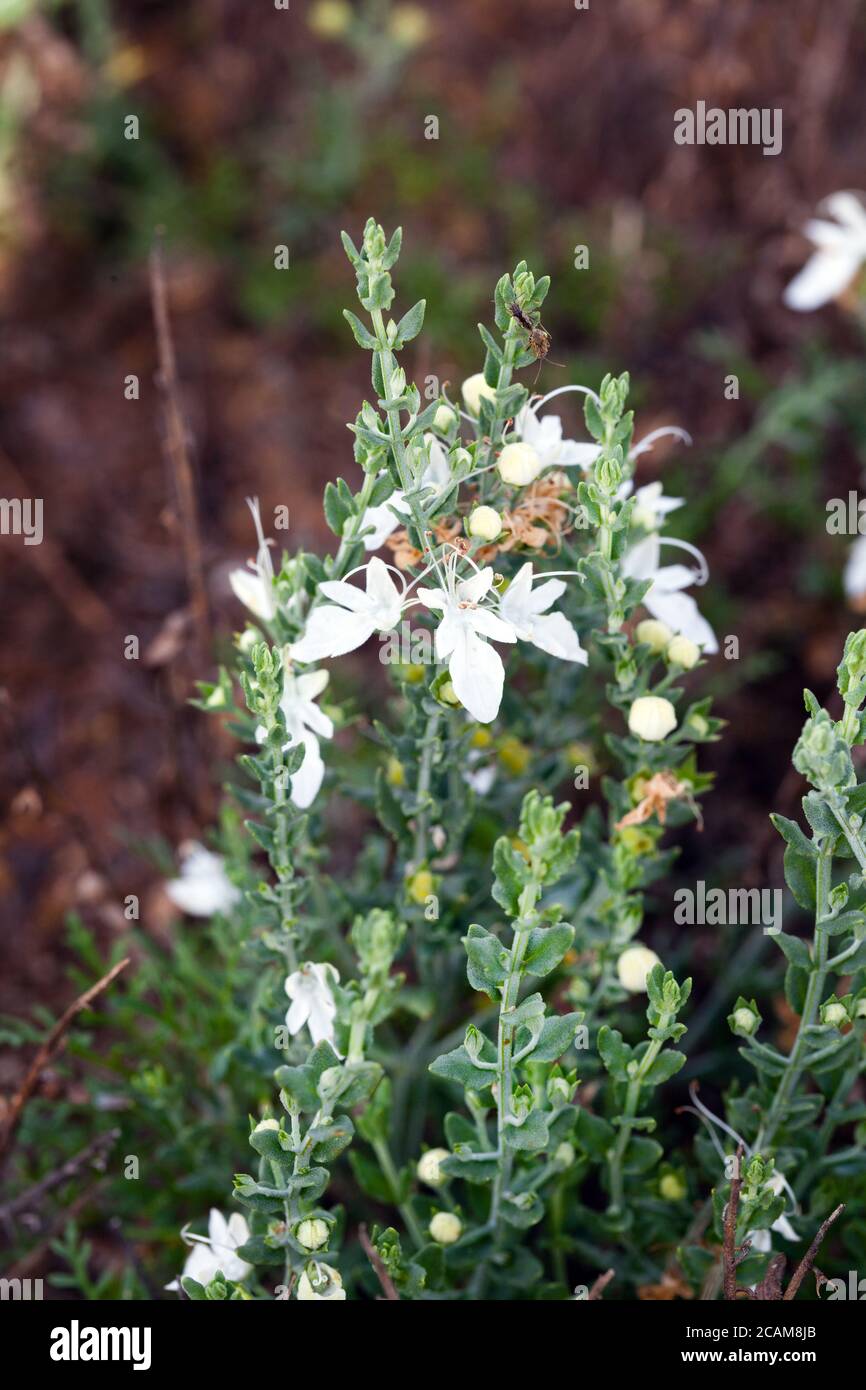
column 354, row 615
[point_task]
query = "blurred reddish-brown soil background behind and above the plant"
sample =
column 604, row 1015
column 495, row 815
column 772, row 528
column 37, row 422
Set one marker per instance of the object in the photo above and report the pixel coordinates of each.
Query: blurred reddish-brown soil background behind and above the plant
column 256, row 130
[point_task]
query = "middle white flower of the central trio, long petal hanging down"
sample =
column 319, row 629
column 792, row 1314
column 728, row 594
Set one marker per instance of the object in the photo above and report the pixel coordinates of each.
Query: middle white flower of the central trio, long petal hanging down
column 475, row 667
